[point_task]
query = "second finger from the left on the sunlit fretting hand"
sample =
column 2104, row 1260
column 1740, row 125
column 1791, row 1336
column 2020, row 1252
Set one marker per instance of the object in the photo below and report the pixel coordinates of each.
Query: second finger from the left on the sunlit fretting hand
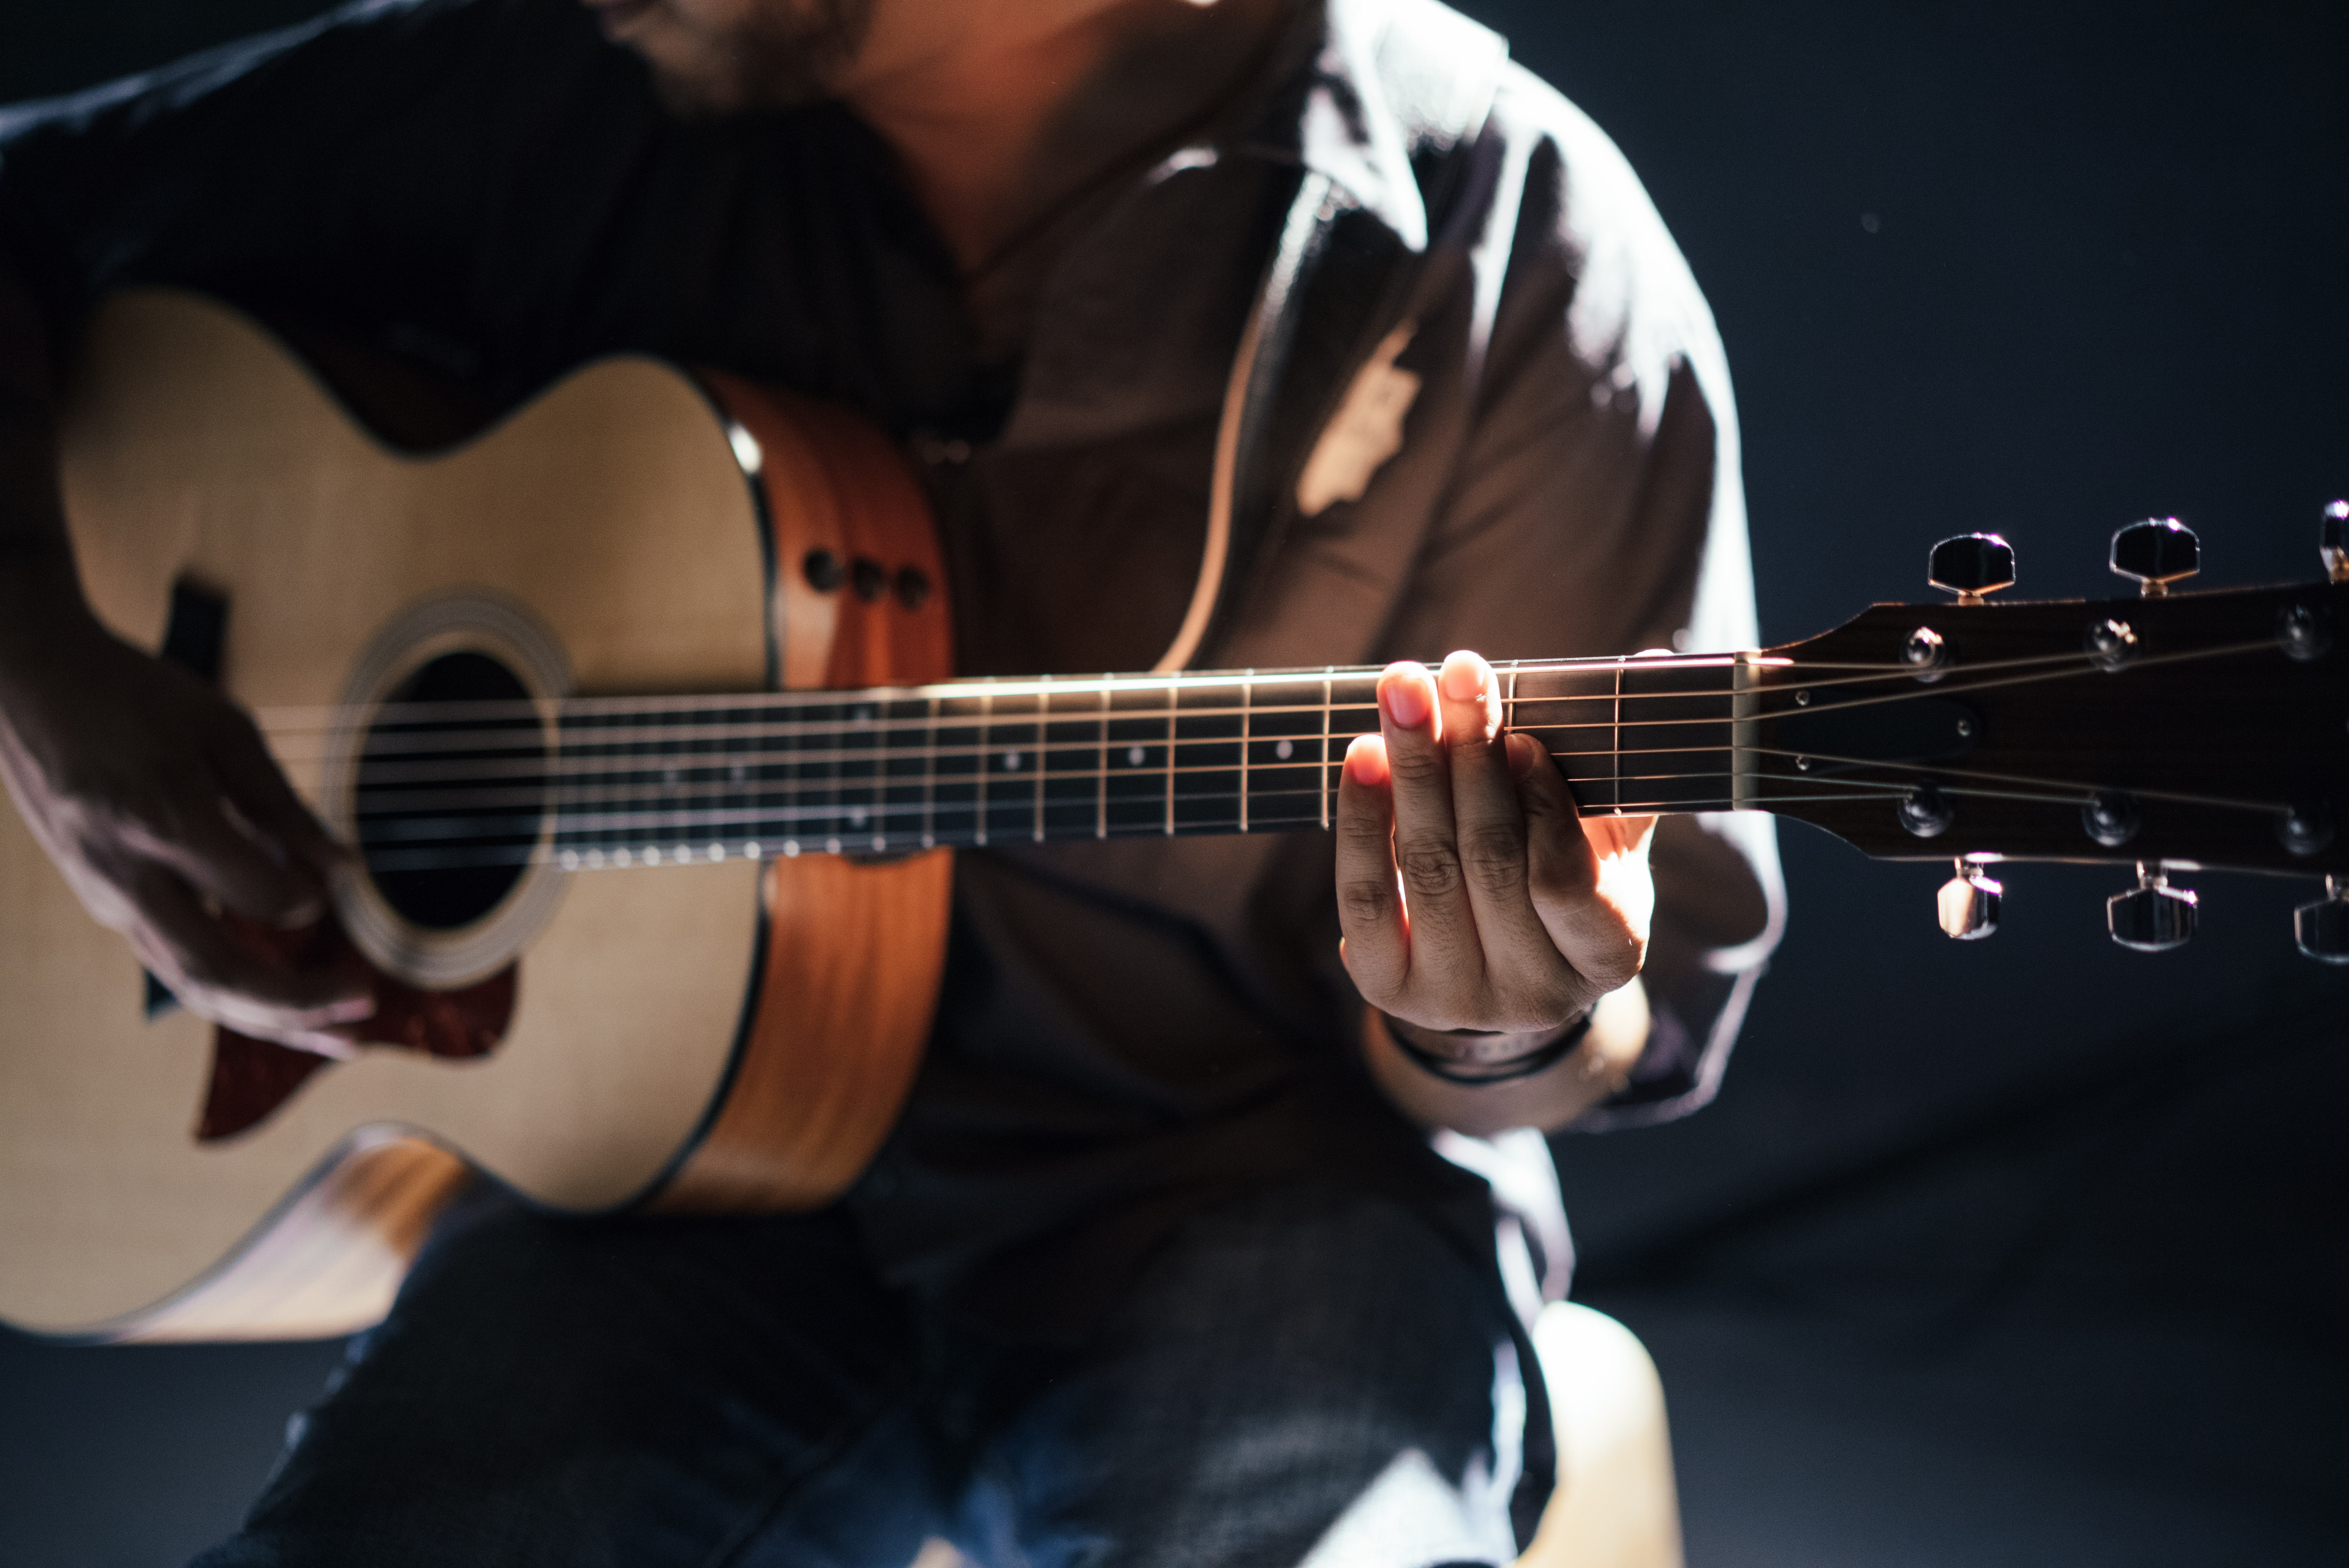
column 1427, row 844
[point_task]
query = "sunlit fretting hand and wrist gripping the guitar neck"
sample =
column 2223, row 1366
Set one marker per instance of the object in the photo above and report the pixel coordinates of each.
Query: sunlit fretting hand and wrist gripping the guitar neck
column 1476, row 898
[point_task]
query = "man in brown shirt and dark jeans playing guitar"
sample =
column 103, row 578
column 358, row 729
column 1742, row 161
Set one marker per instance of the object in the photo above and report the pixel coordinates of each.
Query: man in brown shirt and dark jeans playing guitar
column 1159, row 1264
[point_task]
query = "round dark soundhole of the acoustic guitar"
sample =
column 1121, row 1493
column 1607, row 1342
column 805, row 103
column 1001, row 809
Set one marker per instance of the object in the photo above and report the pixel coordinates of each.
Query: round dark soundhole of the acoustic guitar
column 450, row 804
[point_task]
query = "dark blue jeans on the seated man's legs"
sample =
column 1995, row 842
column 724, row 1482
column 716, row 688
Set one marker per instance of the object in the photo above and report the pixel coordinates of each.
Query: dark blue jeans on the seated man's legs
column 1298, row 1379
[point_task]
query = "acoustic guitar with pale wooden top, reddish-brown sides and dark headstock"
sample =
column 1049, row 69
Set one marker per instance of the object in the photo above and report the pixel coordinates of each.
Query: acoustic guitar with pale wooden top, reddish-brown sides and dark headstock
column 640, row 715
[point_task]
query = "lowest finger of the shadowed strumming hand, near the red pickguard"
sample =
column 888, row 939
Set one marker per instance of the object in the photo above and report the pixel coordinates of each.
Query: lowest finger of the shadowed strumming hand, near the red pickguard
column 229, row 985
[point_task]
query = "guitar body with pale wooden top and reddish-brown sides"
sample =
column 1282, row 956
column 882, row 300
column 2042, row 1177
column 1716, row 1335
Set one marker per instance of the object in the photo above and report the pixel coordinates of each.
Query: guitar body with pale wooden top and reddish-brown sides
column 720, row 1034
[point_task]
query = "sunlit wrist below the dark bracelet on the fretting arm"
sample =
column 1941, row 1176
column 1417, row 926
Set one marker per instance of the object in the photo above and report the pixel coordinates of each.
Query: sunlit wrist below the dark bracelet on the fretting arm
column 1547, row 1100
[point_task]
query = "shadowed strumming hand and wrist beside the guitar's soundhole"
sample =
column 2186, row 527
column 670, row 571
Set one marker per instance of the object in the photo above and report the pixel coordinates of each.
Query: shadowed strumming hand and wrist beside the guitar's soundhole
column 161, row 806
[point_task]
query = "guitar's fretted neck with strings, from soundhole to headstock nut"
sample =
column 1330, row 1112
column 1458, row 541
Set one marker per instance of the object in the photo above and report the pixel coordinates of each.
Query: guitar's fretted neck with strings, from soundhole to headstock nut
column 626, row 783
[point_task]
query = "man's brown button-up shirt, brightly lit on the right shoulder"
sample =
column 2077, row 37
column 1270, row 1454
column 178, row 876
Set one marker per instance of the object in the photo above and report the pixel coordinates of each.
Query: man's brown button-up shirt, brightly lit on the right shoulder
column 1131, row 1029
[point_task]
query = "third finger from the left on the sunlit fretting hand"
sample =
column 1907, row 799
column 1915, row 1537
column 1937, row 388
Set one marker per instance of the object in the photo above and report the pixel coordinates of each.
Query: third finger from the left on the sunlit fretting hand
column 1528, row 980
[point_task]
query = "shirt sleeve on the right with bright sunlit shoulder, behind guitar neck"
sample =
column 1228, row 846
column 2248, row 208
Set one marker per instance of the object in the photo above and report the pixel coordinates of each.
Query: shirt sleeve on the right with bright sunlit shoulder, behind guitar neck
column 1598, row 511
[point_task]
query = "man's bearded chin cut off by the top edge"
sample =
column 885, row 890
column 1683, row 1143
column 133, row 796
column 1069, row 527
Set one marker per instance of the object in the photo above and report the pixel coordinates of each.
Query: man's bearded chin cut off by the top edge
column 767, row 55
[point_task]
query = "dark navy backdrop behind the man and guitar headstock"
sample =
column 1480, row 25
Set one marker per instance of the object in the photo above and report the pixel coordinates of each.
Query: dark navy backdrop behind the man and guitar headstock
column 2012, row 1252
